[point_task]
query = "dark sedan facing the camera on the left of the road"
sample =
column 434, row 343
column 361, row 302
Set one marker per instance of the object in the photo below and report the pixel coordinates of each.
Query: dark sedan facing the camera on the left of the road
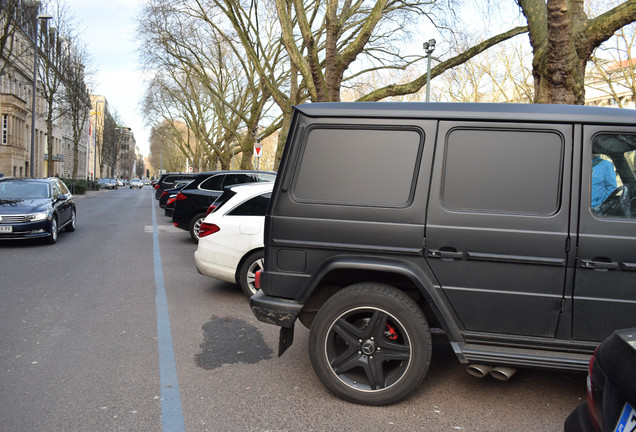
column 35, row 208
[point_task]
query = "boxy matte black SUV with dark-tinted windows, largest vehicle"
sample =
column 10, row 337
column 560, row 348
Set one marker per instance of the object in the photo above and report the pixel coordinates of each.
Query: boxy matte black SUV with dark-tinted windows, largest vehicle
column 511, row 228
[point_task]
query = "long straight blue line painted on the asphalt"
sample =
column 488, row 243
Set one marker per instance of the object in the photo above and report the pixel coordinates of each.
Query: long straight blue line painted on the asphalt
column 171, row 409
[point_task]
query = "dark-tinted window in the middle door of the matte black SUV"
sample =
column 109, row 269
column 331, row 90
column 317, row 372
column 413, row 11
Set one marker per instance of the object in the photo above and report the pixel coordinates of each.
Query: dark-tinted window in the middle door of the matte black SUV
column 501, row 171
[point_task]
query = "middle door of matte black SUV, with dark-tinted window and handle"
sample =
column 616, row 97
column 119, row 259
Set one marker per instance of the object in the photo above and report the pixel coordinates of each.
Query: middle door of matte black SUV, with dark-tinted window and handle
column 498, row 224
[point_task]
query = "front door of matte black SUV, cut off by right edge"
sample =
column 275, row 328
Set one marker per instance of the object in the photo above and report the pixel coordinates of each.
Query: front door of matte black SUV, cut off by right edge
column 605, row 282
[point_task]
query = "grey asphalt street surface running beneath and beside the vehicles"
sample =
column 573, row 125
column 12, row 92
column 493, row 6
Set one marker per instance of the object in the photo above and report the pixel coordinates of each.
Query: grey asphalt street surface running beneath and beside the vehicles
column 82, row 347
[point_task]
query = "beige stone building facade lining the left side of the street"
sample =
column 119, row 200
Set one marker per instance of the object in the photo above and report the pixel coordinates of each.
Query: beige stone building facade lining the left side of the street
column 16, row 103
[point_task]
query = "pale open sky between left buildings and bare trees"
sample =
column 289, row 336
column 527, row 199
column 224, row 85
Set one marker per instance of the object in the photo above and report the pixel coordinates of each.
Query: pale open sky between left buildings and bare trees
column 107, row 27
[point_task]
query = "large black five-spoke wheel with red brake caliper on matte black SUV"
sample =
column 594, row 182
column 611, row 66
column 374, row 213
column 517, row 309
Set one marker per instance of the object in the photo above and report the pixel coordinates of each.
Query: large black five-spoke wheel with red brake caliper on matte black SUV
column 370, row 344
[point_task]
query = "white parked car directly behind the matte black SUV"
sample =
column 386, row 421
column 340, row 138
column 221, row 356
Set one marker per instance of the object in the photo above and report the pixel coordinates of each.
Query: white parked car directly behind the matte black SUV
column 231, row 236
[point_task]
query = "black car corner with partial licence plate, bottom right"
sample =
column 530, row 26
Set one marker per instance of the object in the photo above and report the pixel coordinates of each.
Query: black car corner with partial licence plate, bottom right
column 611, row 388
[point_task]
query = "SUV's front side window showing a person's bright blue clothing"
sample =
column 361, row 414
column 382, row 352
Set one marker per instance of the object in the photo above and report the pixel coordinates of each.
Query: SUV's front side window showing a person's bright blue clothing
column 613, row 176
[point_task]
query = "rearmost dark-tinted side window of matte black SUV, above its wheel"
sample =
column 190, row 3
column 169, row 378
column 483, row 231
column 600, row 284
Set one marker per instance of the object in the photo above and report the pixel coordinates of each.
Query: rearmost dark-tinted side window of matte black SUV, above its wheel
column 330, row 170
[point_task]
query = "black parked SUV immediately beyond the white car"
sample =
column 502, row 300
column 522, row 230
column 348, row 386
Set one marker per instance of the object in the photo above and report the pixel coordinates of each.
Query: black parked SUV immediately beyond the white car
column 191, row 204
